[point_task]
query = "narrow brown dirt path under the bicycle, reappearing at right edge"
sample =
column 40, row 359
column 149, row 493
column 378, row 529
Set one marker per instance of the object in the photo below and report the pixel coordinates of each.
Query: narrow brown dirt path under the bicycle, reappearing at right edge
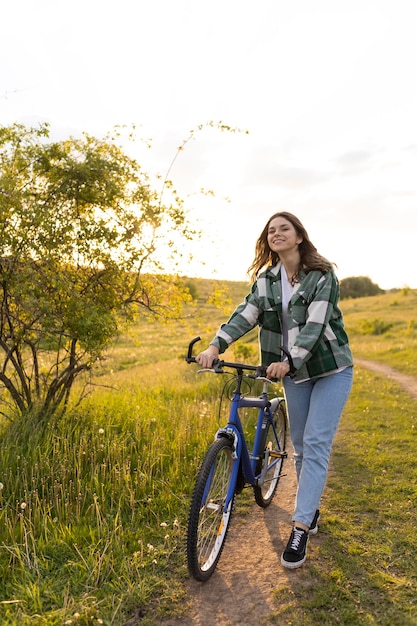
column 240, row 590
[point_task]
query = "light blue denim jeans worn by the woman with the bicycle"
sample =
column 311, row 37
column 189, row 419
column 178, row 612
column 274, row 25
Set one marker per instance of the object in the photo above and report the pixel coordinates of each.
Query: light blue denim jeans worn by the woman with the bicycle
column 314, row 409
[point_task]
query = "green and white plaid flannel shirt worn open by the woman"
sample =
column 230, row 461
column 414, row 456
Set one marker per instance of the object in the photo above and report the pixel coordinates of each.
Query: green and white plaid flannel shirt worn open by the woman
column 317, row 340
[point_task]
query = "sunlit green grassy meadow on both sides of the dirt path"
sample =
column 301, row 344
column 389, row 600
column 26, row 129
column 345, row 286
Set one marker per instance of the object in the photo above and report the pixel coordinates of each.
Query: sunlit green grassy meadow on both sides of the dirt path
column 93, row 507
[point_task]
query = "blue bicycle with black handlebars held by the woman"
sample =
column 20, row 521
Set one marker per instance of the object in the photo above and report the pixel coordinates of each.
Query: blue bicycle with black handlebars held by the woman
column 228, row 465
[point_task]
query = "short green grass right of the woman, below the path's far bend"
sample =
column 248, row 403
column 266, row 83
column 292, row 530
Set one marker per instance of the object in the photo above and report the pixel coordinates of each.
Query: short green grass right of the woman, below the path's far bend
column 363, row 569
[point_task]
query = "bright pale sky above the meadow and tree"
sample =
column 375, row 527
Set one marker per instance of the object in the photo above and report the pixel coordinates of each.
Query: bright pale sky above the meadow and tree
column 326, row 89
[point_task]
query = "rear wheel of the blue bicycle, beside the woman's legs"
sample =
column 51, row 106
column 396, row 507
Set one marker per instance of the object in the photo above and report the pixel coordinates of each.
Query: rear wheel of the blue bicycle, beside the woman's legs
column 265, row 493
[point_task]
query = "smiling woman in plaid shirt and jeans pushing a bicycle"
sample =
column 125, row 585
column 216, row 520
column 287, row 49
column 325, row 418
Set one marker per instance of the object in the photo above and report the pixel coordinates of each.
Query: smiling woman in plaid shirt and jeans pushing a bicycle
column 294, row 300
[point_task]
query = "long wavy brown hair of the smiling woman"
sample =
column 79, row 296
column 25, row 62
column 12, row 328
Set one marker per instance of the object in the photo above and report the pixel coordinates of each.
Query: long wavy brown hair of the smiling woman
column 310, row 259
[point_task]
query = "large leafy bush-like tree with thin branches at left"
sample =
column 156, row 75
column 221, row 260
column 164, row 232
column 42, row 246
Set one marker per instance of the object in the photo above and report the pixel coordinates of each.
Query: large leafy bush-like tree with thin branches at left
column 81, row 239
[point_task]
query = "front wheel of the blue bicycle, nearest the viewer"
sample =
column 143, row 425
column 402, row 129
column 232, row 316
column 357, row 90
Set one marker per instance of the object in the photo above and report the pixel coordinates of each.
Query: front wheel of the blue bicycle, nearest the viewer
column 208, row 523
